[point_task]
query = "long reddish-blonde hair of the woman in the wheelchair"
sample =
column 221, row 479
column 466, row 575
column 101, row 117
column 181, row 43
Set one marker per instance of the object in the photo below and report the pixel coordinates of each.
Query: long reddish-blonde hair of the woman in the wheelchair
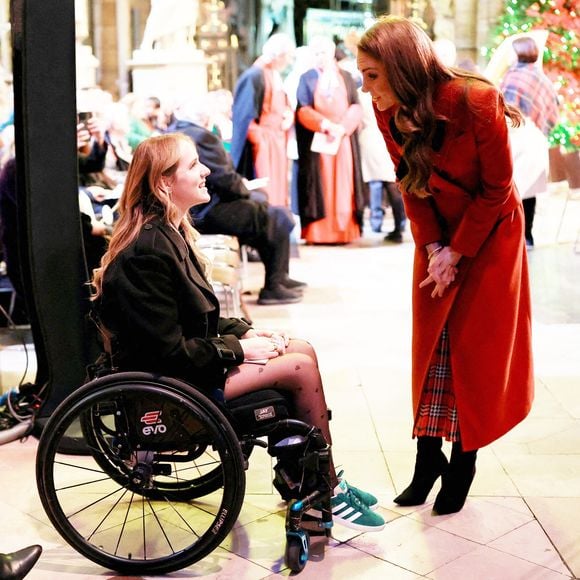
column 145, row 196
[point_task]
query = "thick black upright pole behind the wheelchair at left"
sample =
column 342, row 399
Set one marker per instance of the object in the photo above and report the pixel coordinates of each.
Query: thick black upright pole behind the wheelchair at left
column 43, row 37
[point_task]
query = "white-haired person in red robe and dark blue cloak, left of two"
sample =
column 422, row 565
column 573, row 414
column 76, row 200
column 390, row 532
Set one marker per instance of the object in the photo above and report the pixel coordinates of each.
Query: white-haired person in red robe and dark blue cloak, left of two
column 261, row 119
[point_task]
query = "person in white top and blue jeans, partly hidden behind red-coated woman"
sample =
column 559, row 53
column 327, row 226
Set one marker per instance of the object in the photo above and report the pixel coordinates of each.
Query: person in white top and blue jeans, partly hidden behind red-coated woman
column 379, row 173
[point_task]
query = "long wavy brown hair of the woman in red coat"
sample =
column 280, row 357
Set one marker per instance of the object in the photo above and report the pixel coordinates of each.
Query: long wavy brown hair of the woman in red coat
column 414, row 71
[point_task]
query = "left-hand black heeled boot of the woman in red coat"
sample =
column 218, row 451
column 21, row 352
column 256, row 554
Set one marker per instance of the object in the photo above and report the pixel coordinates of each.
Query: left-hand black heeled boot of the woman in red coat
column 429, row 465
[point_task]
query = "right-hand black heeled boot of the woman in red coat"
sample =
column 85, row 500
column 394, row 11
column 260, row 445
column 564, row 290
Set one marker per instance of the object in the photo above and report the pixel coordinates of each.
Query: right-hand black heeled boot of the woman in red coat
column 456, row 481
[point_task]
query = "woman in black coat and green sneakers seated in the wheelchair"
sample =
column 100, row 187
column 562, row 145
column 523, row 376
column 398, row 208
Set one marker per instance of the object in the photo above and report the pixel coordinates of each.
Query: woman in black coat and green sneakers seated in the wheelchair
column 155, row 301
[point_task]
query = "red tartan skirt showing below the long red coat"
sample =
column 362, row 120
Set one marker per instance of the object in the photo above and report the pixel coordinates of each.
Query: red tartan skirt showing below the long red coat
column 437, row 414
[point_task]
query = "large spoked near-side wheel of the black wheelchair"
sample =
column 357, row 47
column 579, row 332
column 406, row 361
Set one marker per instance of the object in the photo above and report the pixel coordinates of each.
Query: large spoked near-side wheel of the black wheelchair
column 133, row 502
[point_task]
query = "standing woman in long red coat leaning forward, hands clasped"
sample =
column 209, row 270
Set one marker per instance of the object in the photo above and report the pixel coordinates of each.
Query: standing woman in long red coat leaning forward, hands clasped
column 447, row 134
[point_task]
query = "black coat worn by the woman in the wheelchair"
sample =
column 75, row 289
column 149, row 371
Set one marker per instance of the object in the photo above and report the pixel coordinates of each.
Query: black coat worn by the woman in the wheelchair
column 163, row 313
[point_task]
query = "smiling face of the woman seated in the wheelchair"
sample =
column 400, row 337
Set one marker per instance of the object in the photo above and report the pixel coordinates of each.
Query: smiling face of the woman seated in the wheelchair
column 187, row 184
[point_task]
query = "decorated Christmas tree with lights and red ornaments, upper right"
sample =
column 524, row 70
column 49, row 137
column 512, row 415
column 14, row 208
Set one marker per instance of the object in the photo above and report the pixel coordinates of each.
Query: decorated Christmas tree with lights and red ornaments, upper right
column 561, row 55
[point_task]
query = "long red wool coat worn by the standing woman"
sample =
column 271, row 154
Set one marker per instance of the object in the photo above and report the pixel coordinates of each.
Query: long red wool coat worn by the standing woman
column 476, row 209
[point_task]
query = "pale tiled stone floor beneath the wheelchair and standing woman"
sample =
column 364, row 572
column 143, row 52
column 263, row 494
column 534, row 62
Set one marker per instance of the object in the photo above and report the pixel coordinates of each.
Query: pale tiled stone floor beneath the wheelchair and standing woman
column 522, row 518
